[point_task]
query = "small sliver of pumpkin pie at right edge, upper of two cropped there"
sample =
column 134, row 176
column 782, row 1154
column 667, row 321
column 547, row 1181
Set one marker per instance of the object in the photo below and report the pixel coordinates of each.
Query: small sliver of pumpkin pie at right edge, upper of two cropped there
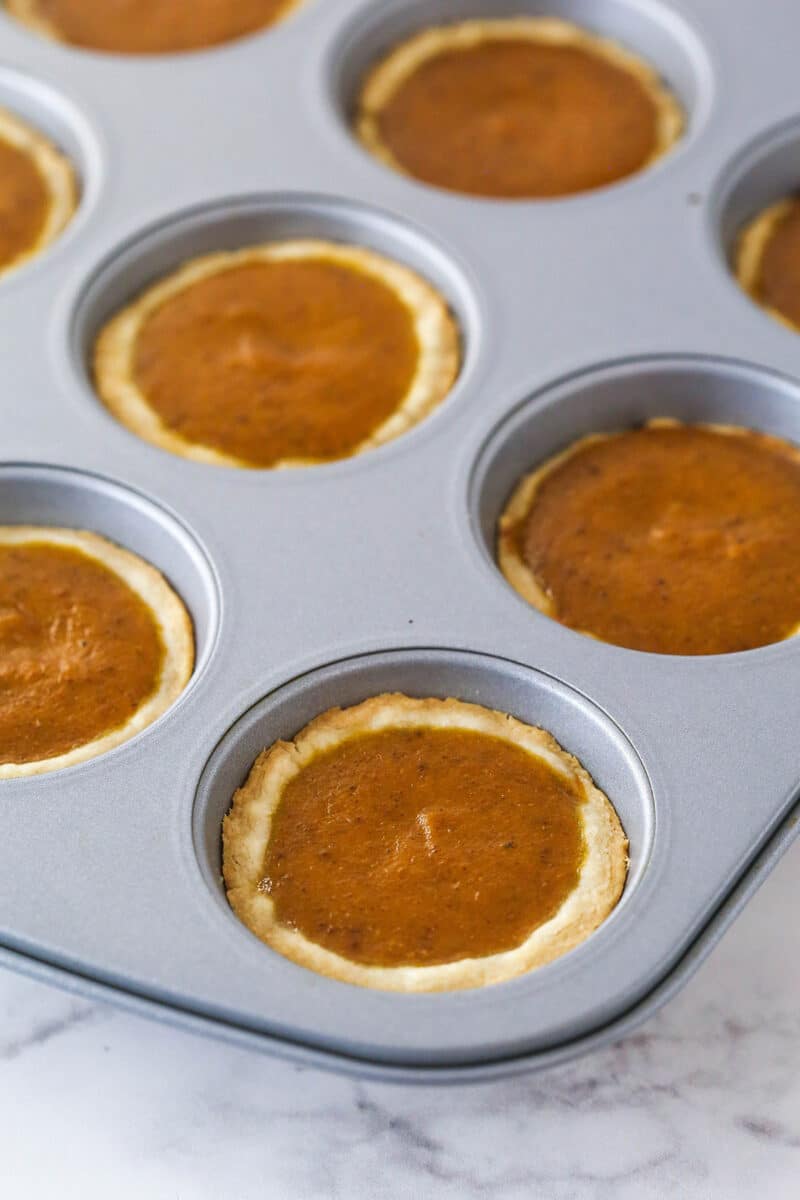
column 768, row 261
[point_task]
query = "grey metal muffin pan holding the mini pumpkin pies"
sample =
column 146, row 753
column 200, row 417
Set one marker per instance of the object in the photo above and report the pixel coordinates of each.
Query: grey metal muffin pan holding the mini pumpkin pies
column 326, row 585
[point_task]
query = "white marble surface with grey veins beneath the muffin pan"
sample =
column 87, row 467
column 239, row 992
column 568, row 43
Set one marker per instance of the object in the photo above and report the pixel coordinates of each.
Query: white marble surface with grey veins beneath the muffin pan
column 705, row 1102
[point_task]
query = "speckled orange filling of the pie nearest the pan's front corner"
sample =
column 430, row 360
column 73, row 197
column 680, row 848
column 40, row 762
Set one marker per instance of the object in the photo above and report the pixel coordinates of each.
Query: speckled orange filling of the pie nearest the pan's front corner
column 422, row 847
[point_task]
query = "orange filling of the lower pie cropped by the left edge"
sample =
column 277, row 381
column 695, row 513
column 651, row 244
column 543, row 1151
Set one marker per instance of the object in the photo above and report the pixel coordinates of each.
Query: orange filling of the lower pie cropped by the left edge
column 80, row 651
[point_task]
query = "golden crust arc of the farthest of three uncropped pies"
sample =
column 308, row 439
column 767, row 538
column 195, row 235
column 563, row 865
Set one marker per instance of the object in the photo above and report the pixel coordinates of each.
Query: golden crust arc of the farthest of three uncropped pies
column 392, row 73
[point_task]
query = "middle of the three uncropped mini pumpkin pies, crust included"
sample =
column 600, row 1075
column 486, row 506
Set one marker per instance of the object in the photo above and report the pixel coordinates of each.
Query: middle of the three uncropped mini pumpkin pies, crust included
column 279, row 356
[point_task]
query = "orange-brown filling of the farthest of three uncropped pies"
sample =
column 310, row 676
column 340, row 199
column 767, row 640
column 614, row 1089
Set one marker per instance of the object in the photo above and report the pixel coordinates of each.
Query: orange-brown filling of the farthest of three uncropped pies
column 519, row 118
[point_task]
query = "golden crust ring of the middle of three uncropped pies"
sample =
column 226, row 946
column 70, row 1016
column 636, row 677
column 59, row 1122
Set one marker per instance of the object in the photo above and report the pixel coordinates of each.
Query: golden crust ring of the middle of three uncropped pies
column 436, row 329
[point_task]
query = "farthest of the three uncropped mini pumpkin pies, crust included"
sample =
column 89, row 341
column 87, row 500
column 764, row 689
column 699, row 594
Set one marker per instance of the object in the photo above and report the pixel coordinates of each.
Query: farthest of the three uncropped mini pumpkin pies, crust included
column 522, row 107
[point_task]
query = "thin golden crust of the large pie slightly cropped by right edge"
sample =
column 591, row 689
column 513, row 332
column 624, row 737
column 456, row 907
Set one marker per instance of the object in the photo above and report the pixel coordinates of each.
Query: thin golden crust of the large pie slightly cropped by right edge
column 522, row 500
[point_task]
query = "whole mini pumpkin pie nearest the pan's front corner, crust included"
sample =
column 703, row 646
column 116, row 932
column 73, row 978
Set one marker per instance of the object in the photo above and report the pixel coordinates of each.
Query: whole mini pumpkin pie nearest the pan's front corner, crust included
column 422, row 845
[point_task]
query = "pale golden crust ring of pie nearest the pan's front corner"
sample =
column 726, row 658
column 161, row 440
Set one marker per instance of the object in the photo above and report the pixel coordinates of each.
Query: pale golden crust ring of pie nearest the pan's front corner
column 246, row 833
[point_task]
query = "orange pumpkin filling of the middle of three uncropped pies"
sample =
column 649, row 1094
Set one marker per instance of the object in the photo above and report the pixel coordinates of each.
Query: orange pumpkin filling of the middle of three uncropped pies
column 279, row 361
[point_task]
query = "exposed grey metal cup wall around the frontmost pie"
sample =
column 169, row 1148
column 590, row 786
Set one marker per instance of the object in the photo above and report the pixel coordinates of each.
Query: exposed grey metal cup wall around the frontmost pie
column 534, row 698
